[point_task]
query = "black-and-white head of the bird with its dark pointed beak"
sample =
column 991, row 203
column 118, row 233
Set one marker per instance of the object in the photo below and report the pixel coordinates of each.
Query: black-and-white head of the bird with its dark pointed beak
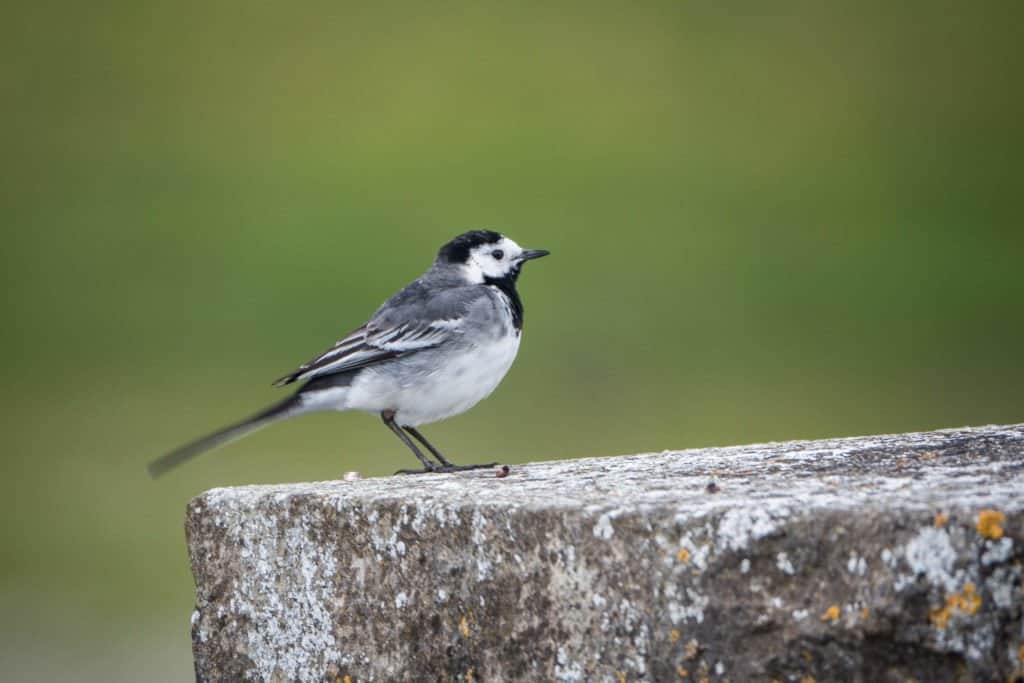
column 485, row 255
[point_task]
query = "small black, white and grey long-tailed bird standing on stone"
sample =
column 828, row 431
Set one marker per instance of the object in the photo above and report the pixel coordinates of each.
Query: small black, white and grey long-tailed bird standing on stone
column 434, row 351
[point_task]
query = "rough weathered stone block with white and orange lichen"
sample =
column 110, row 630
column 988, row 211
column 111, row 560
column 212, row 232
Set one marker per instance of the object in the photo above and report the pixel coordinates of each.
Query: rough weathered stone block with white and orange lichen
column 865, row 560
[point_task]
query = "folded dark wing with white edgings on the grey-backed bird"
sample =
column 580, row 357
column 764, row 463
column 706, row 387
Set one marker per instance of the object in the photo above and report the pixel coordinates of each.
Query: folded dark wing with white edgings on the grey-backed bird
column 370, row 345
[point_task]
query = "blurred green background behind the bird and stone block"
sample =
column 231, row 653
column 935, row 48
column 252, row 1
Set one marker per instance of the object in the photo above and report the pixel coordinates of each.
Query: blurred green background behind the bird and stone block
column 769, row 223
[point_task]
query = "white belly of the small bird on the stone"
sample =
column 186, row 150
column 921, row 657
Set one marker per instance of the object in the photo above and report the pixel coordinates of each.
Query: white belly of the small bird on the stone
column 434, row 388
